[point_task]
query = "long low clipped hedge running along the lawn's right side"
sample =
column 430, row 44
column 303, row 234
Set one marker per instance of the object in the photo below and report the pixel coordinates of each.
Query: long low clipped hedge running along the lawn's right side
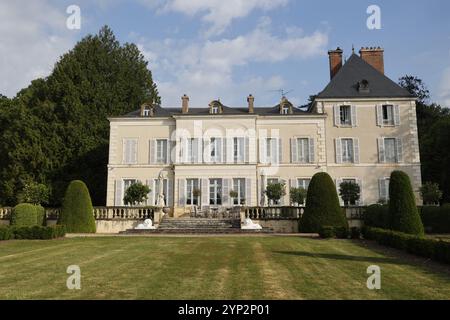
column 428, row 248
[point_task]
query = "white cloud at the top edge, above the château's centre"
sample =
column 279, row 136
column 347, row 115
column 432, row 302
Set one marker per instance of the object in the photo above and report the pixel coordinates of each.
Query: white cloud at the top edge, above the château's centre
column 217, row 14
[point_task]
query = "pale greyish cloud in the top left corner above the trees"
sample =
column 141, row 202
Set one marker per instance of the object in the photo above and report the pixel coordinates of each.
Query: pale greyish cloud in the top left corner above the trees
column 34, row 35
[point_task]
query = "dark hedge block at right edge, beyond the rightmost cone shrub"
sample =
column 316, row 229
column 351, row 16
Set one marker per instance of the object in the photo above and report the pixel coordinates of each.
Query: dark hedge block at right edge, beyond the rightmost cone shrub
column 436, row 219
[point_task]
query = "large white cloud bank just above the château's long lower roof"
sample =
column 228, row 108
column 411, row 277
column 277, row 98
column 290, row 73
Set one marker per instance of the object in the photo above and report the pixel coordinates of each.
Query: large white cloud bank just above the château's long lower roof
column 206, row 70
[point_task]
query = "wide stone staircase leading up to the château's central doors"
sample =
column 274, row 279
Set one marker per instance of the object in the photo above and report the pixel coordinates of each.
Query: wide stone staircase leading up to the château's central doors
column 198, row 226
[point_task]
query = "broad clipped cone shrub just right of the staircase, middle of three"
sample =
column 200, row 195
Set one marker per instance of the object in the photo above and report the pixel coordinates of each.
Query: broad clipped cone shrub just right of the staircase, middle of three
column 322, row 206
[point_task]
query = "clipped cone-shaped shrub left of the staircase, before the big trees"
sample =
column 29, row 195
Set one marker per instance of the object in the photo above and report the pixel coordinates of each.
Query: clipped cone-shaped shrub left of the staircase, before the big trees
column 77, row 211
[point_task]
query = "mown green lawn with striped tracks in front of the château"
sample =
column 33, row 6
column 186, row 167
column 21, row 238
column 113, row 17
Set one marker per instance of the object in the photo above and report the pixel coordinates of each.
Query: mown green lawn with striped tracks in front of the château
column 213, row 268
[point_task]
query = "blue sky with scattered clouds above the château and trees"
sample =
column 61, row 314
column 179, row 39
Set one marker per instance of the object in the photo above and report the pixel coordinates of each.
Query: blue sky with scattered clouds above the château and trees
column 213, row 49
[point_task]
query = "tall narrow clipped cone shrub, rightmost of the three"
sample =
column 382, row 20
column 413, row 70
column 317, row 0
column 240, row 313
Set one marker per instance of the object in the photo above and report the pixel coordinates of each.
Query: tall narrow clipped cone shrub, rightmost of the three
column 403, row 213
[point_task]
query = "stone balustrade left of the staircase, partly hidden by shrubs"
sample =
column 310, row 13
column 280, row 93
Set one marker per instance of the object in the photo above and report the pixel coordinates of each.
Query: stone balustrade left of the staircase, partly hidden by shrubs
column 100, row 213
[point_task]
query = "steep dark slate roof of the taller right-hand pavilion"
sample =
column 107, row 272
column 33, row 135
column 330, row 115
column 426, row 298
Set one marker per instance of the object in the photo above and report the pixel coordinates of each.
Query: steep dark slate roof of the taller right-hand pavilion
column 345, row 82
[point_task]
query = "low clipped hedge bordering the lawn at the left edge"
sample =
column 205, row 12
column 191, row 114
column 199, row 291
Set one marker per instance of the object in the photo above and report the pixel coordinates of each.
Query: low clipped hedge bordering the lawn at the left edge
column 32, row 233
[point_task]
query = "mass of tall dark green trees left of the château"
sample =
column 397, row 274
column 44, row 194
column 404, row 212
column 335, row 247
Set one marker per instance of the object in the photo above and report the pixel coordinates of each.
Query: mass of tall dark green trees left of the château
column 56, row 130
